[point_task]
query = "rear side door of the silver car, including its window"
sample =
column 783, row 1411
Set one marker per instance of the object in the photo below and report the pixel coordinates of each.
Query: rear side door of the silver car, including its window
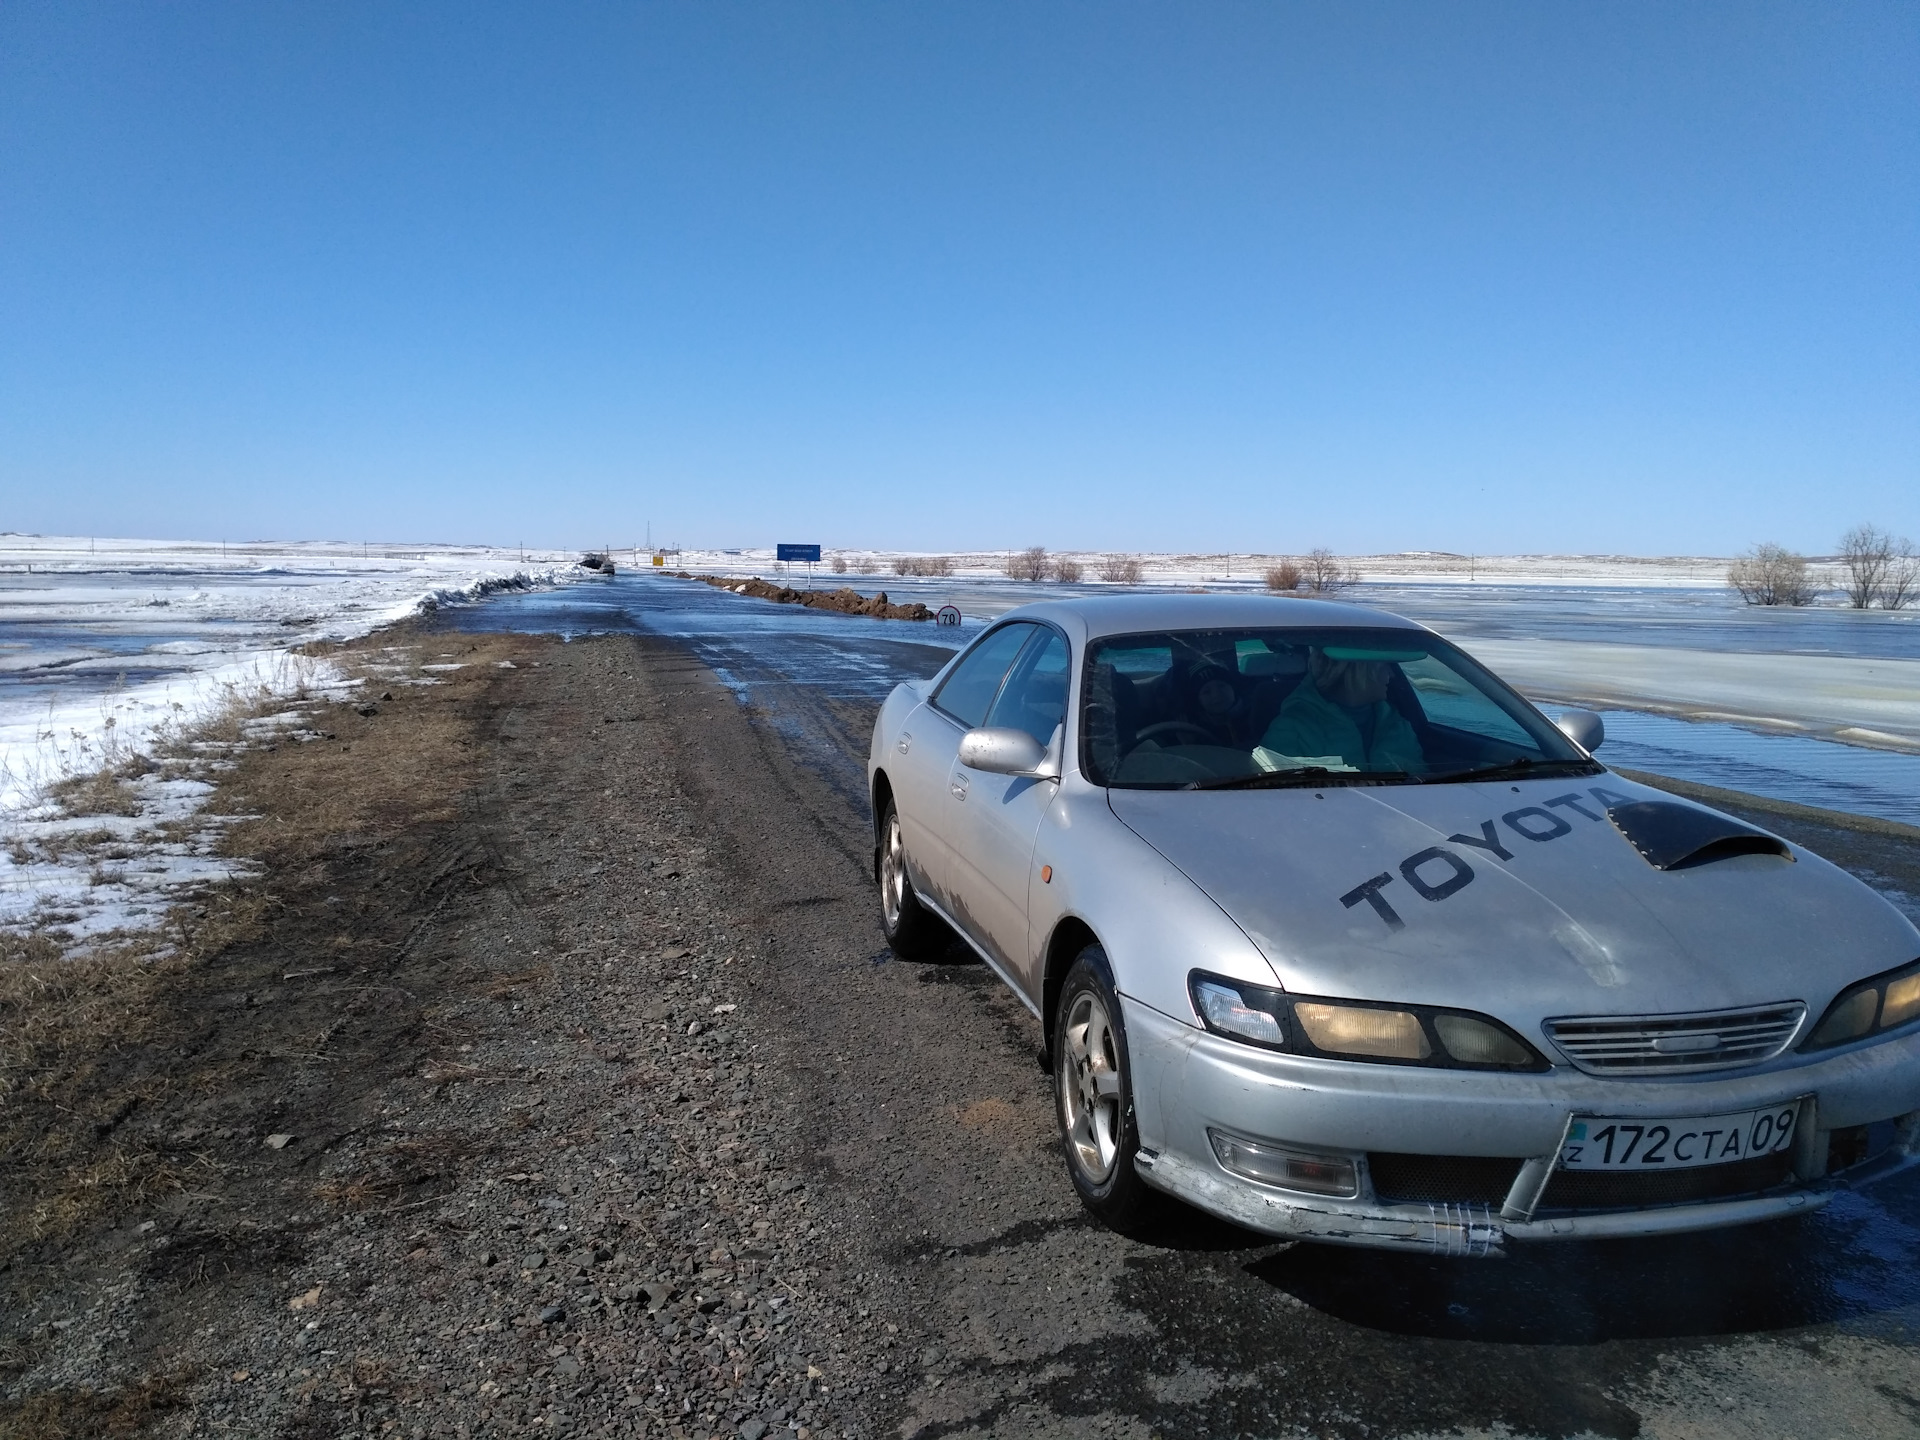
column 924, row 757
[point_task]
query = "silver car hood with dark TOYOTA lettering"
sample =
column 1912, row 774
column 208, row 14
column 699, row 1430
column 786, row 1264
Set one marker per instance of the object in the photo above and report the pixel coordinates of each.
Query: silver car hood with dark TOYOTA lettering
column 1403, row 894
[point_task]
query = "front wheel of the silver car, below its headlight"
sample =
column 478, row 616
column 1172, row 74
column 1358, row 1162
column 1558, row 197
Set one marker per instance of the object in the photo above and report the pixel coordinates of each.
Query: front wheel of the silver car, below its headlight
column 1093, row 1097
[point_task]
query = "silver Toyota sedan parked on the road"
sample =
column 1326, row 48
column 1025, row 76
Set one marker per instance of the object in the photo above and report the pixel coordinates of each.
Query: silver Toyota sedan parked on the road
column 1335, row 936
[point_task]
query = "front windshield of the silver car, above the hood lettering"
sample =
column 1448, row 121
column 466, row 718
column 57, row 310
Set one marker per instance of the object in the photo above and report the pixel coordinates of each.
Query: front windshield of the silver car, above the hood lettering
column 1270, row 708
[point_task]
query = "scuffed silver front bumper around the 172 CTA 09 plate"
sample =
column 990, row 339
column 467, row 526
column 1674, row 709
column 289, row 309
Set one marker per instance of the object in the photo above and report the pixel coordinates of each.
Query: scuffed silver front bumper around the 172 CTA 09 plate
column 1189, row 1082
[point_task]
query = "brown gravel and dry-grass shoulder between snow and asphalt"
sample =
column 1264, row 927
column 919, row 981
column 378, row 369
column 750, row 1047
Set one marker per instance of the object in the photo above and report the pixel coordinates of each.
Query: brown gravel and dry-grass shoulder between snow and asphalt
column 469, row 1130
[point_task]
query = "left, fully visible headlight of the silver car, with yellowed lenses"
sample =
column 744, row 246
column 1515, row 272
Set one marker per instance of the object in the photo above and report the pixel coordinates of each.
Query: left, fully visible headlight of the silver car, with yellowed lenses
column 1364, row 1030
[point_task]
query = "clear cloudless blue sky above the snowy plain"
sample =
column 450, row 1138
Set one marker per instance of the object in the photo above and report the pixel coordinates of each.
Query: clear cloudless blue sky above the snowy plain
column 1116, row 276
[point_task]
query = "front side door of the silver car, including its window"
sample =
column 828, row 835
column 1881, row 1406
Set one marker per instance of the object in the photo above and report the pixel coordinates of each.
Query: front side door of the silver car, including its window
column 1001, row 815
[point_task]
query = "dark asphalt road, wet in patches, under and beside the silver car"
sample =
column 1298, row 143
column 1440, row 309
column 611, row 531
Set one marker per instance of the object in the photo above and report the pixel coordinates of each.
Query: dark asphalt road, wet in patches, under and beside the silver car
column 934, row 1143
